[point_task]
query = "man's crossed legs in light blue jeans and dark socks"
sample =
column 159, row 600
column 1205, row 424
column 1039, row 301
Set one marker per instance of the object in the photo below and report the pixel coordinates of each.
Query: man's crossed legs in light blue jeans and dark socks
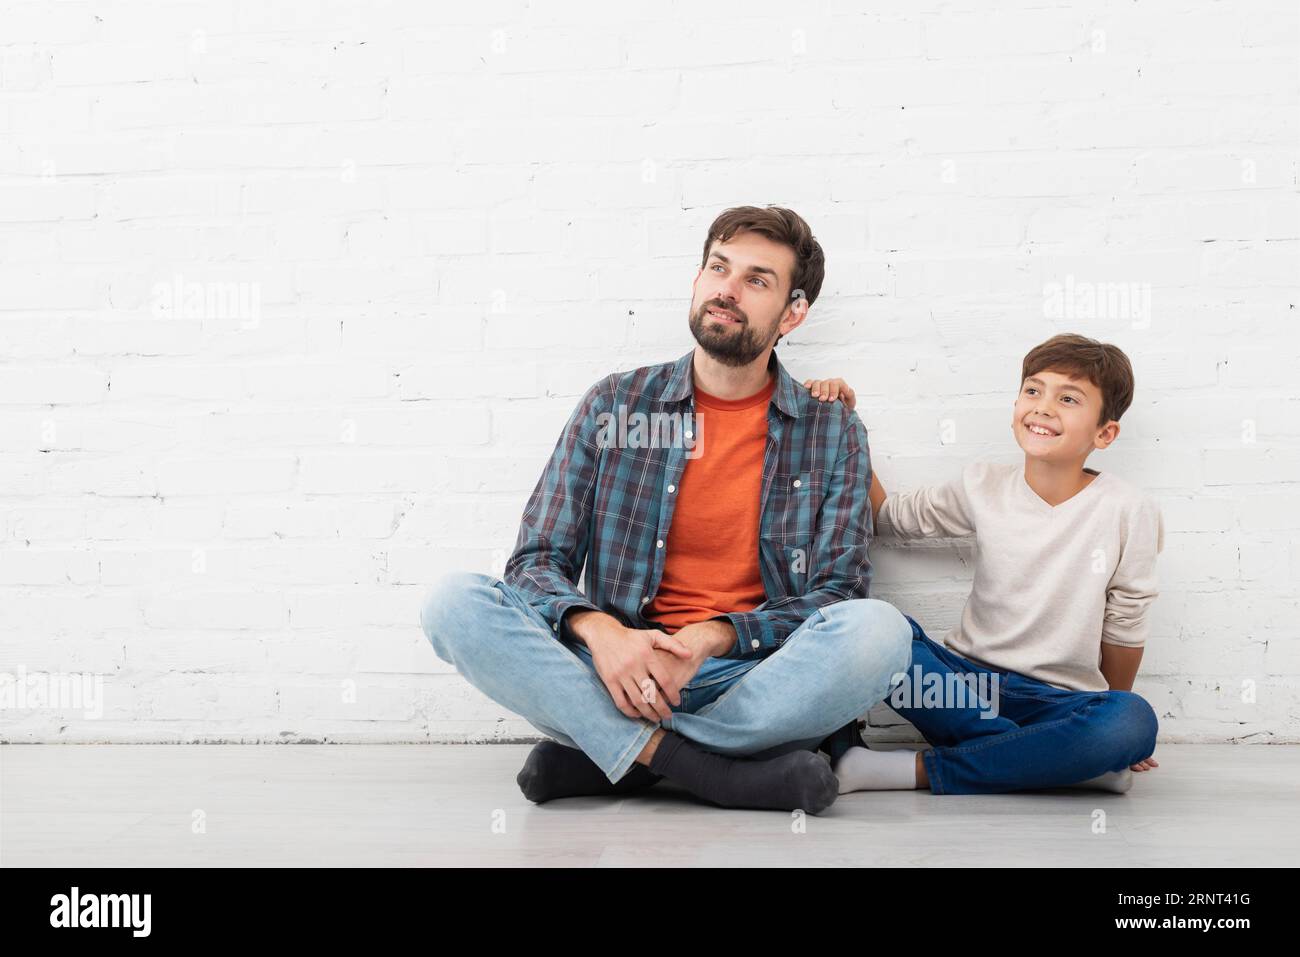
column 743, row 733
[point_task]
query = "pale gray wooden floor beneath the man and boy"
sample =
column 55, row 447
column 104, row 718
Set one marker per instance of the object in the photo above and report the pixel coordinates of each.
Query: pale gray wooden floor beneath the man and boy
column 343, row 806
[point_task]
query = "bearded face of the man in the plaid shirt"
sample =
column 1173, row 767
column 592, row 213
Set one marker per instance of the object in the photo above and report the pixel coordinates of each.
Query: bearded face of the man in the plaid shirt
column 742, row 298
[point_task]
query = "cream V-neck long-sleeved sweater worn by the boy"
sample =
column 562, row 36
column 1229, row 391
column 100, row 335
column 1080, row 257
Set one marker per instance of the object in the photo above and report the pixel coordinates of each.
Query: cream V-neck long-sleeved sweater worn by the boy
column 1051, row 584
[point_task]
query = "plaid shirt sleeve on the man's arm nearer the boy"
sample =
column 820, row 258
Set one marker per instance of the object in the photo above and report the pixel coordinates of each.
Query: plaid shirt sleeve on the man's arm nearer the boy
column 839, row 568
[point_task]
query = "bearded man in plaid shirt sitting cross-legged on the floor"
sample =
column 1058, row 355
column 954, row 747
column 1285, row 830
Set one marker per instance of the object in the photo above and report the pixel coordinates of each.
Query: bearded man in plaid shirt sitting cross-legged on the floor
column 725, row 630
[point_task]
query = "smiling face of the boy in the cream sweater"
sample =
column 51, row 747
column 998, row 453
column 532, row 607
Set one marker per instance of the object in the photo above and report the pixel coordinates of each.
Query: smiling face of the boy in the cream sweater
column 1056, row 418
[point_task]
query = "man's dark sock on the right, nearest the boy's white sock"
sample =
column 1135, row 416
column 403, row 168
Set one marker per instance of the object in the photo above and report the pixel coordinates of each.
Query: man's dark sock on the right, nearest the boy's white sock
column 800, row 780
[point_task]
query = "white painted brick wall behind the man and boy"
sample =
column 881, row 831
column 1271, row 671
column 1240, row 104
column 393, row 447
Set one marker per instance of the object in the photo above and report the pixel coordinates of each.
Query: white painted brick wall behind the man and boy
column 294, row 298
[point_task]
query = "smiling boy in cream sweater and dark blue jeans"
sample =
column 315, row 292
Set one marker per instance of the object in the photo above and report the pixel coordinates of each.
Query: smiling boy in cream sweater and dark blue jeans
column 1034, row 686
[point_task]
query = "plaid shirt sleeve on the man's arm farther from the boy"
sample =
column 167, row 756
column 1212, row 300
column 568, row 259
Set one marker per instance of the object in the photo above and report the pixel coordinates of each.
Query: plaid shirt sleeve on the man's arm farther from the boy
column 554, row 532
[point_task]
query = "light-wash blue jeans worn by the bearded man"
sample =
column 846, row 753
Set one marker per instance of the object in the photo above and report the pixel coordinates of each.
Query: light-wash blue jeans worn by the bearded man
column 831, row 670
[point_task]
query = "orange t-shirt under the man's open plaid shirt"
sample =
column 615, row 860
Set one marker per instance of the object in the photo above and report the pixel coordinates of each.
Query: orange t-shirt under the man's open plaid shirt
column 710, row 564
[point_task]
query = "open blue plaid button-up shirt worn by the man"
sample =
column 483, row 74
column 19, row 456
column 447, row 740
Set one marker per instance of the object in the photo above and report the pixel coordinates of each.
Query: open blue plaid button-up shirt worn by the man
column 610, row 506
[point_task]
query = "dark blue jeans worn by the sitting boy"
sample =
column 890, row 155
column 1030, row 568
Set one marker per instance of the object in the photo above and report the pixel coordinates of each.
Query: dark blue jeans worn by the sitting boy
column 1025, row 735
